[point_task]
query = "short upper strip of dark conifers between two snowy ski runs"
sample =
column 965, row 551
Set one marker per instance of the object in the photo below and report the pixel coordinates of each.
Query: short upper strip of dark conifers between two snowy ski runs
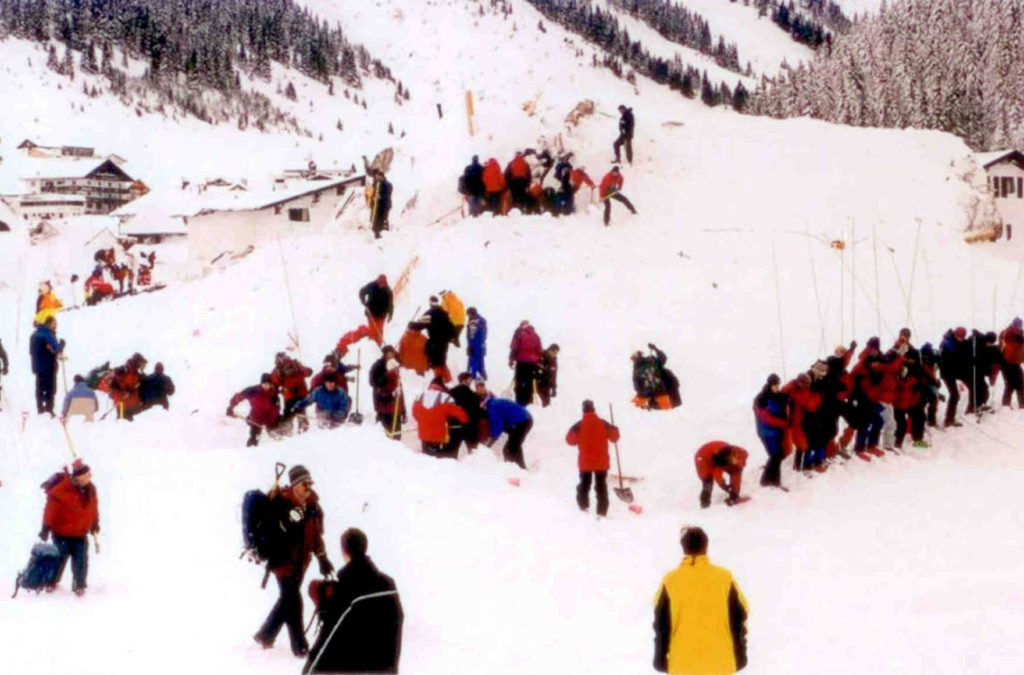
column 679, row 25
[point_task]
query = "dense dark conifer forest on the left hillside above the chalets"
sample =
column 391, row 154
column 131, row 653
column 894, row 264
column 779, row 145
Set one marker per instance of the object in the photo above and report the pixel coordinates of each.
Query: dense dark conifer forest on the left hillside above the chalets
column 205, row 40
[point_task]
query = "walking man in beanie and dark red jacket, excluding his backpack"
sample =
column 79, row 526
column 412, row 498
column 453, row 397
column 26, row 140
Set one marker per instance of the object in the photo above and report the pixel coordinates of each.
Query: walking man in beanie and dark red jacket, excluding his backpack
column 303, row 520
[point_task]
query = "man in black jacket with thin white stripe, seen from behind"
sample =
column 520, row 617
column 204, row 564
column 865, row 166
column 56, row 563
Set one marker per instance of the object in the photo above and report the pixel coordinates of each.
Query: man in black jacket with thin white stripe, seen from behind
column 362, row 616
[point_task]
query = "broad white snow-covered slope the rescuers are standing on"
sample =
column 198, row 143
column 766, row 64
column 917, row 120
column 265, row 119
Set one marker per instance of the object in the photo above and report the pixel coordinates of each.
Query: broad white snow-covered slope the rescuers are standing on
column 906, row 565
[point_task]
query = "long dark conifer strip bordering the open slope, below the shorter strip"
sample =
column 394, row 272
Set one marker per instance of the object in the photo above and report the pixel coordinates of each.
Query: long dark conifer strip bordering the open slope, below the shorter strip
column 603, row 29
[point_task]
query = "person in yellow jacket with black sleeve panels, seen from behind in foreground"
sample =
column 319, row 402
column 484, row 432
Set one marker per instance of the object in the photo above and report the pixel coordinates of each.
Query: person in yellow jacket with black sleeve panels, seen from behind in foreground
column 700, row 616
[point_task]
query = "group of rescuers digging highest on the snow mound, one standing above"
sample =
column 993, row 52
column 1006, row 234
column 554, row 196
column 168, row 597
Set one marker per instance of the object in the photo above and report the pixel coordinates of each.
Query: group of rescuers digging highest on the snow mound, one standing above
column 487, row 188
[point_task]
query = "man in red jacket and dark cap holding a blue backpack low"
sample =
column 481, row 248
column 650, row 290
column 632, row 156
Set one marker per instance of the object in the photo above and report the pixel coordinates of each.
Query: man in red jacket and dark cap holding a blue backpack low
column 72, row 514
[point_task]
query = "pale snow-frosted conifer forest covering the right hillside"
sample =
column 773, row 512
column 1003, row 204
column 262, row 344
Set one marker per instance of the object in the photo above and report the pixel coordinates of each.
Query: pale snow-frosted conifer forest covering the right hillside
column 957, row 66
